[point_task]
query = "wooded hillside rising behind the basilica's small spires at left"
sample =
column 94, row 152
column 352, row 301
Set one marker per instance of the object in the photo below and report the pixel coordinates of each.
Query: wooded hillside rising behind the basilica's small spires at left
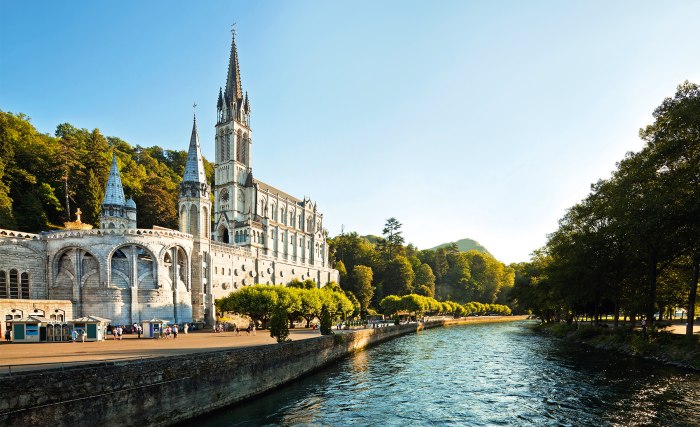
column 44, row 176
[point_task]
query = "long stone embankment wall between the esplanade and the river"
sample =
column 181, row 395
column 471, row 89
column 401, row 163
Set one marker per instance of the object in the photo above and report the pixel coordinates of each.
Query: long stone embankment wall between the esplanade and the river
column 163, row 391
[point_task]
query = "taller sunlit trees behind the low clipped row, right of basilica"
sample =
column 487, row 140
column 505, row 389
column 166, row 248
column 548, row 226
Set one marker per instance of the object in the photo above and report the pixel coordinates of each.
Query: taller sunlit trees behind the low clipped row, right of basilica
column 375, row 267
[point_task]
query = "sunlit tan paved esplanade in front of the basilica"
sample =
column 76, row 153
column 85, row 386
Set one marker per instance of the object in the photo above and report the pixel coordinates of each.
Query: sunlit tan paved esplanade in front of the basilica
column 22, row 356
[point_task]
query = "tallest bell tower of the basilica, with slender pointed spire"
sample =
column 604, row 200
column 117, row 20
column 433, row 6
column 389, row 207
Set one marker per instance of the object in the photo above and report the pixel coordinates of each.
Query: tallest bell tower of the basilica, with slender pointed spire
column 233, row 144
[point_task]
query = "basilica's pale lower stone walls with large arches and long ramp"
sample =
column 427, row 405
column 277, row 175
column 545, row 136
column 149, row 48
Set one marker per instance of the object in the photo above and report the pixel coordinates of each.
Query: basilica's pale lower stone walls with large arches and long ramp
column 134, row 275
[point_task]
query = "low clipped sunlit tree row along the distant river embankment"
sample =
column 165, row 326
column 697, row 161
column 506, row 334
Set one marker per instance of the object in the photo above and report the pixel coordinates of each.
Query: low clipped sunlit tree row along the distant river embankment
column 419, row 304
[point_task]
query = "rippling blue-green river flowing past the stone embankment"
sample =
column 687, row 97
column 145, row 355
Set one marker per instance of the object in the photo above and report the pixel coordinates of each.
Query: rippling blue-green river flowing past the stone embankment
column 487, row 374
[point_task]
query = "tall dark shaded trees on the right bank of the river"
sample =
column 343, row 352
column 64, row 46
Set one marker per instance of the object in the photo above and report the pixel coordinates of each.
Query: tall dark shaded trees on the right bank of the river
column 632, row 247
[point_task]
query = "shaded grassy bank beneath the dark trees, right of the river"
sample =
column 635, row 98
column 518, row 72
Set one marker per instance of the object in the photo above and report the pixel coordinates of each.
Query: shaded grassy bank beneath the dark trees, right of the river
column 661, row 346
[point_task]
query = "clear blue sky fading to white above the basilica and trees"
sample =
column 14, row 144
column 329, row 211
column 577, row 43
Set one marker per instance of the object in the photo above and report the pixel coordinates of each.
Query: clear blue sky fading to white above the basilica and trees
column 482, row 119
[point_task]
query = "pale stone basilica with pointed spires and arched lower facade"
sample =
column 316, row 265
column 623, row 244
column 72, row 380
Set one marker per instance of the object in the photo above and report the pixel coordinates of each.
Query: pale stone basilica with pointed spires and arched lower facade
column 253, row 233
